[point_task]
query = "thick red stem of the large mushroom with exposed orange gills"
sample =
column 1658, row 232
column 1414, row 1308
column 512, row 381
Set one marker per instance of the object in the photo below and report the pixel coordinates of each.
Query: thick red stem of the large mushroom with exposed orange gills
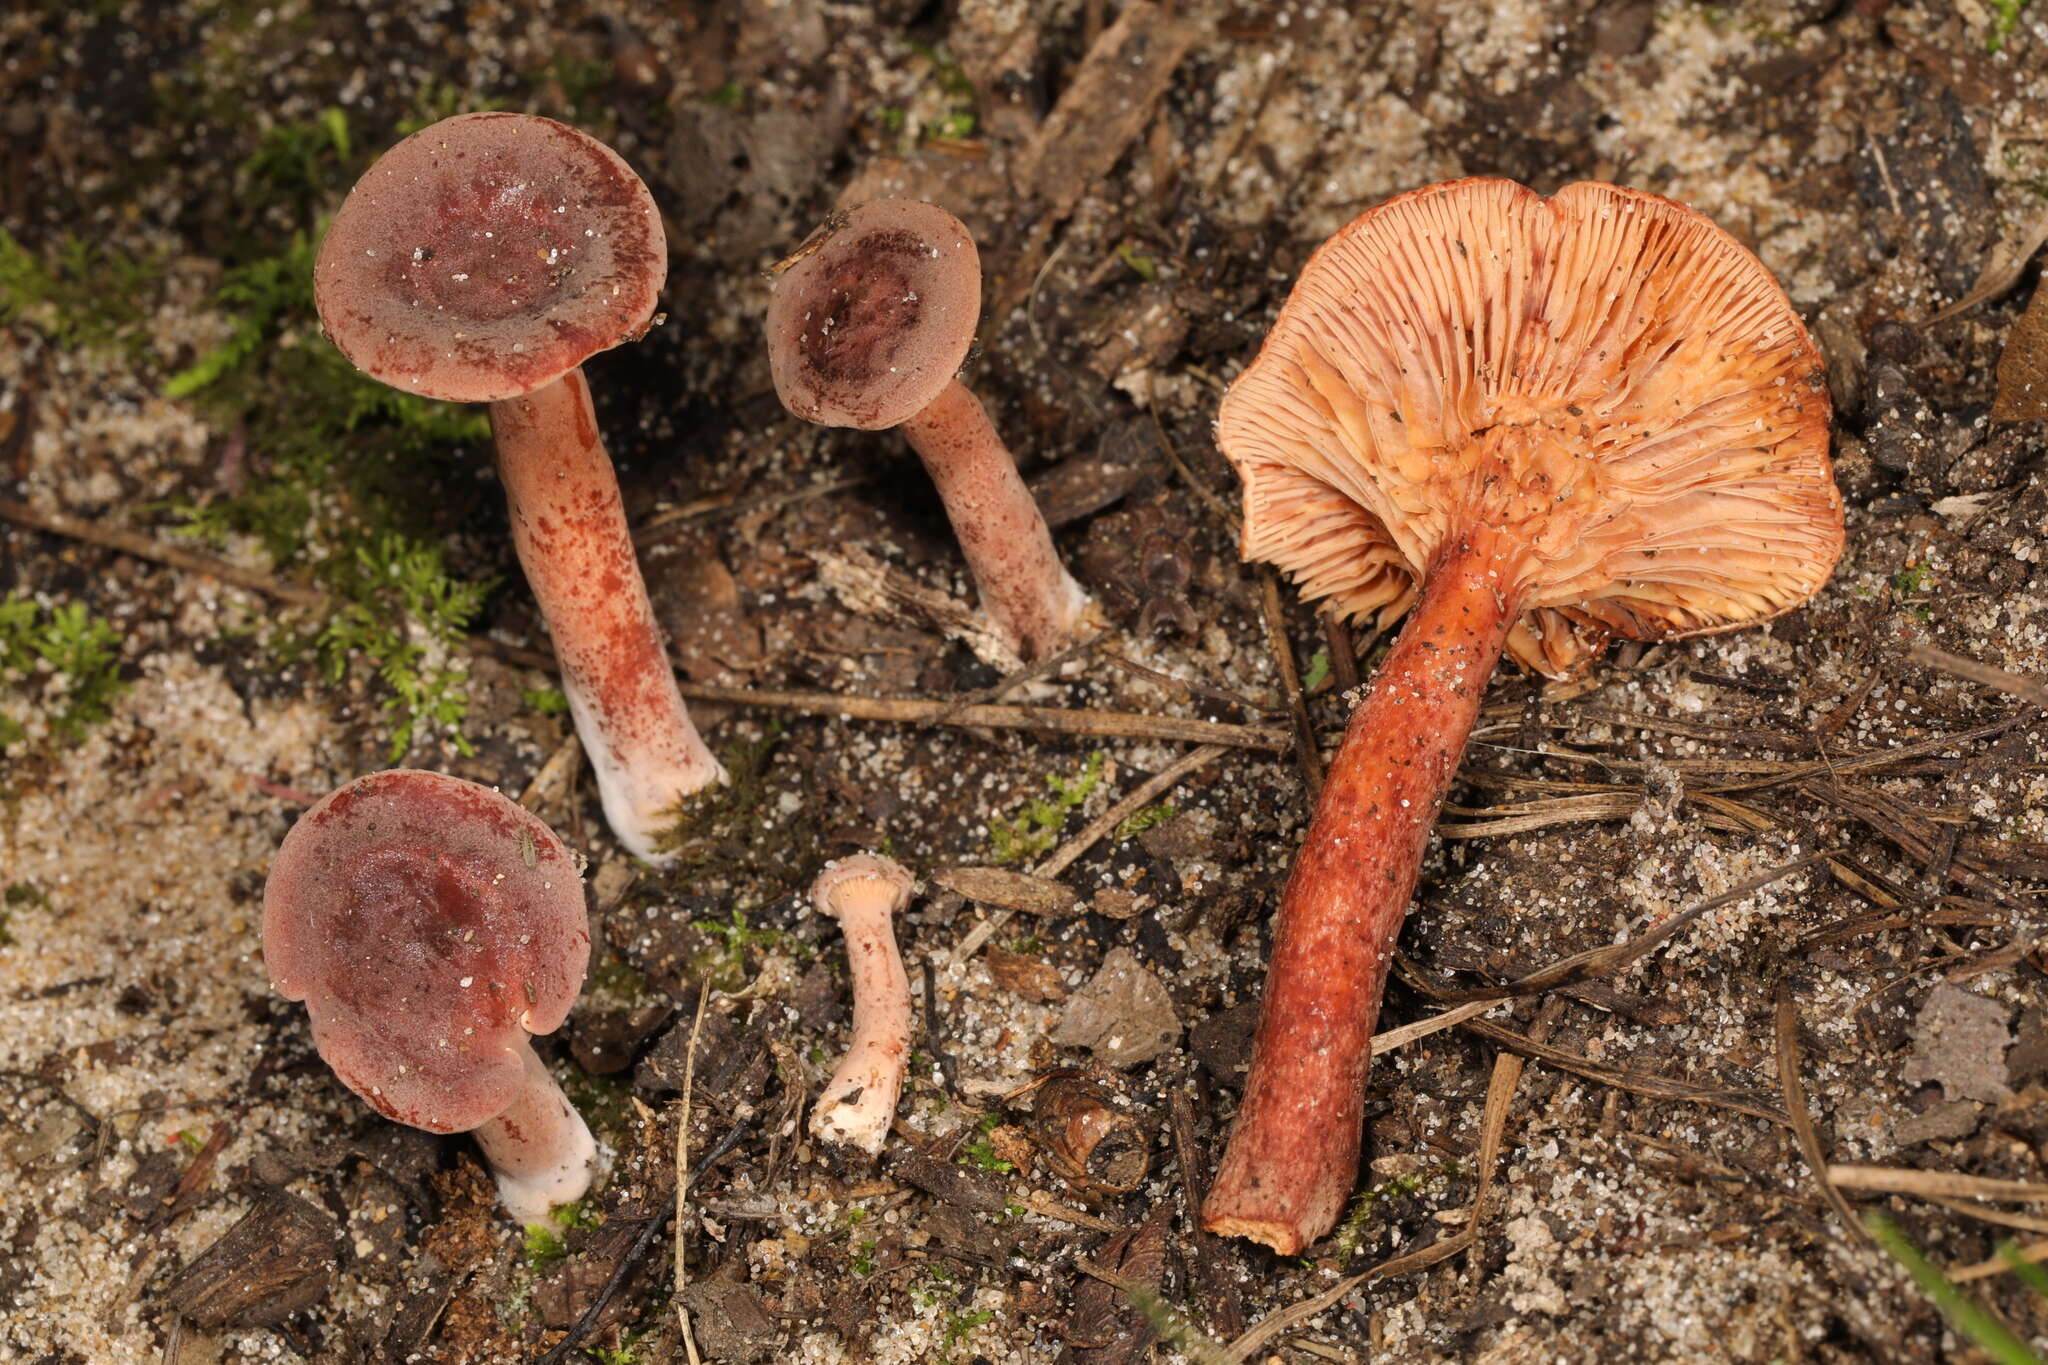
column 1293, row 1153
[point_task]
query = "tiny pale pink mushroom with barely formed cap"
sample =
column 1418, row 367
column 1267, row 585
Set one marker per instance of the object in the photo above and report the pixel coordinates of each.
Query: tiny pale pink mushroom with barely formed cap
column 859, row 1104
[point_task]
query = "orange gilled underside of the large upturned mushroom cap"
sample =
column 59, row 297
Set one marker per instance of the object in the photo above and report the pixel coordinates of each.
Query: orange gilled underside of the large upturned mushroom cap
column 1603, row 376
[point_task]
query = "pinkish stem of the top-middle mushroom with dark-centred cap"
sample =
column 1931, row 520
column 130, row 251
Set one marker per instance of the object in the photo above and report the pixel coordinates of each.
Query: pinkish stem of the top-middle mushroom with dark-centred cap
column 1023, row 584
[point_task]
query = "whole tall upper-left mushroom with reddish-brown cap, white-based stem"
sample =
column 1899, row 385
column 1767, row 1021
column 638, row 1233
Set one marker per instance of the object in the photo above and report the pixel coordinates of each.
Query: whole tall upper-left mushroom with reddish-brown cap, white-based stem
column 482, row 261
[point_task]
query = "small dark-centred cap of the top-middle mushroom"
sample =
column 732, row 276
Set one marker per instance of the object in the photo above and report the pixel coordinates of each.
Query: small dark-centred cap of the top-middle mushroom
column 876, row 316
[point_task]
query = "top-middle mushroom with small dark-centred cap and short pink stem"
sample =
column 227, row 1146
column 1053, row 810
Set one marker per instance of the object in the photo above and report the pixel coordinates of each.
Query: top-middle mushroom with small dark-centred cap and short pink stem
column 869, row 326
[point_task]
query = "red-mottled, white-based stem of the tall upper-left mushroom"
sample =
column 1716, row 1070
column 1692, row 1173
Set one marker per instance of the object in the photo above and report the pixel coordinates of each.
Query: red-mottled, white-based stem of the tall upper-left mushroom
column 572, row 539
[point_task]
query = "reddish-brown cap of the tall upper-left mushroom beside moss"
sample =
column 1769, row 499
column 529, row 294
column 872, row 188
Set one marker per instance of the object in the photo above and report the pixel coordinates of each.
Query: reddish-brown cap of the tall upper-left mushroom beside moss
column 486, row 257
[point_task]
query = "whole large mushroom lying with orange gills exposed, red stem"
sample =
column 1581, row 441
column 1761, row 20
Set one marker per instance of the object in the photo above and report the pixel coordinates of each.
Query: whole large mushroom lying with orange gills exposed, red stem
column 1531, row 425
